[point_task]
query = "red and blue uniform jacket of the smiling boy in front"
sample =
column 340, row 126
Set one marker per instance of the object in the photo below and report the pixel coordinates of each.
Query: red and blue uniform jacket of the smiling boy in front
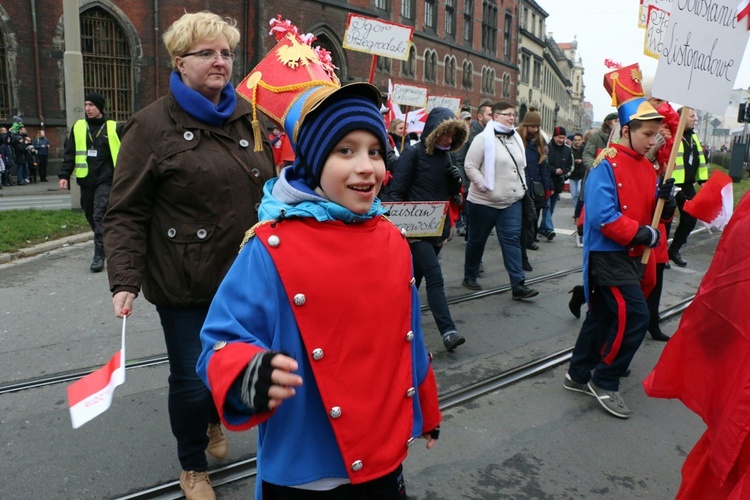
column 339, row 299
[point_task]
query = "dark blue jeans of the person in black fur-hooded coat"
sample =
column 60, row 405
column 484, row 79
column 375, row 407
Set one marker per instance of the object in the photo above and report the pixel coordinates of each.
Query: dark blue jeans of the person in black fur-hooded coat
column 424, row 254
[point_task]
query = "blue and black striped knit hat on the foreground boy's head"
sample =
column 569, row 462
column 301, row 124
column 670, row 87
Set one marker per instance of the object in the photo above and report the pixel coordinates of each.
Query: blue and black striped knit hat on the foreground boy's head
column 327, row 124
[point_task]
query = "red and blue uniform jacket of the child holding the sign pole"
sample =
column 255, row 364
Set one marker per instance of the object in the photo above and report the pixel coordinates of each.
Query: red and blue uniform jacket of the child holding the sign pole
column 620, row 194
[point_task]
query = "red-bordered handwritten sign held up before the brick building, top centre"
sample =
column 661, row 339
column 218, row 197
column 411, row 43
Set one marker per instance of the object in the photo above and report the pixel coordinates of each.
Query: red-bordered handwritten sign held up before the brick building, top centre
column 373, row 36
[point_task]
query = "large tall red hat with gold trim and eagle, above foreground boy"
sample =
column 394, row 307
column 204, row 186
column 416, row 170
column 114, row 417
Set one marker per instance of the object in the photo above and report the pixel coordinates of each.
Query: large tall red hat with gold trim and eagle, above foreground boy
column 291, row 80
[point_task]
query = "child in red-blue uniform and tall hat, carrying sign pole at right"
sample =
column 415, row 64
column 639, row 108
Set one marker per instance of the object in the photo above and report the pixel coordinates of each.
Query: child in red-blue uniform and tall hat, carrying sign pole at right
column 621, row 193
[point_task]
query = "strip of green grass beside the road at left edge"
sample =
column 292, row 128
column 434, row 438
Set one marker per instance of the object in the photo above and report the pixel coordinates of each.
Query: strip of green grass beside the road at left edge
column 24, row 228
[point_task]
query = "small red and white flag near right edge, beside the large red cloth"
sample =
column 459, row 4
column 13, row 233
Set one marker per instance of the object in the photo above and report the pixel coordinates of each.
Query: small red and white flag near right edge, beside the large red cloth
column 713, row 205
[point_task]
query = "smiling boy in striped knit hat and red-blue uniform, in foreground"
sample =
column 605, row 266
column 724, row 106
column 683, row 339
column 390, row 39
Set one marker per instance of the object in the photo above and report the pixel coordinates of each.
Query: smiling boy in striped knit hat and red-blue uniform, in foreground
column 307, row 337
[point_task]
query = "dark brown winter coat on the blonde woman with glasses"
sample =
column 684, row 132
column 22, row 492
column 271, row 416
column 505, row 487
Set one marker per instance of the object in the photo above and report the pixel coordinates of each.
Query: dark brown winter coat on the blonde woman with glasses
column 183, row 194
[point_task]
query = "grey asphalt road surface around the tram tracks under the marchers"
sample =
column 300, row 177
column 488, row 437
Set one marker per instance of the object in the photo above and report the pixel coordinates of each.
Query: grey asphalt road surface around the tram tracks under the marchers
column 530, row 440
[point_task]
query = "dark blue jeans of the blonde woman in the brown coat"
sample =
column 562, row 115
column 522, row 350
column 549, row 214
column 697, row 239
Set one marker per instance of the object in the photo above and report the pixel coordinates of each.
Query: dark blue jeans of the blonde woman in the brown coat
column 191, row 406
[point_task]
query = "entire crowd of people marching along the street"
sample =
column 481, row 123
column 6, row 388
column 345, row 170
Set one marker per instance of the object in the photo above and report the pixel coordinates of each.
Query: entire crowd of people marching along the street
column 260, row 327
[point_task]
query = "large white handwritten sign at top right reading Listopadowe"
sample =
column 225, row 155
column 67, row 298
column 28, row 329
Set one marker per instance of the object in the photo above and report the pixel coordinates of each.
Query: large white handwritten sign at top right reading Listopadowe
column 701, row 54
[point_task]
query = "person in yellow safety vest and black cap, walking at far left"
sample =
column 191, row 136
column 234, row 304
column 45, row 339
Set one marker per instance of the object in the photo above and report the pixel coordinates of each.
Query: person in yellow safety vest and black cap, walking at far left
column 91, row 155
